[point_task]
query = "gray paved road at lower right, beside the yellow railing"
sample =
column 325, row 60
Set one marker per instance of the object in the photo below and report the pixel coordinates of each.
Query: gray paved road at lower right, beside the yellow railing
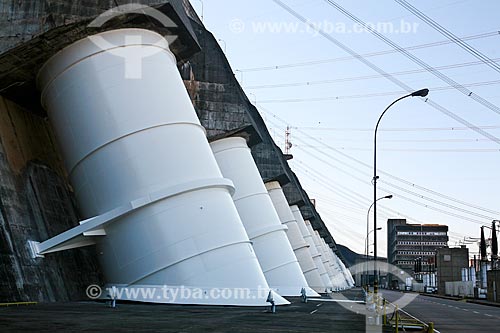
column 451, row 316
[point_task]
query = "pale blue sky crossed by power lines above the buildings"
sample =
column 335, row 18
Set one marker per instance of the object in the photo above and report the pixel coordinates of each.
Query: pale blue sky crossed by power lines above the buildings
column 438, row 168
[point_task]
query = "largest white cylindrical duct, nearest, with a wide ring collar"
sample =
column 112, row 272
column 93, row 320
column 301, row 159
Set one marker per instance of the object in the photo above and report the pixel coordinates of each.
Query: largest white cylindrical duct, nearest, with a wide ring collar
column 129, row 135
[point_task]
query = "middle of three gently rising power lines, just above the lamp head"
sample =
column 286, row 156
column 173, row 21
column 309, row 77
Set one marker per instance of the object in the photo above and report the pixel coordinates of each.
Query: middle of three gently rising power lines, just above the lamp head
column 358, row 78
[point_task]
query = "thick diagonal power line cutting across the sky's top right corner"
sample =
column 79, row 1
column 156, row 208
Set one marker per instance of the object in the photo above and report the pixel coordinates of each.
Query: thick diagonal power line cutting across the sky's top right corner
column 448, row 34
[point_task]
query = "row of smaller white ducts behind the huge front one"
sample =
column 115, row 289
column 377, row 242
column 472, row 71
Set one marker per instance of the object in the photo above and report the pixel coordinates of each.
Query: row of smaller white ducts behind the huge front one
column 284, row 244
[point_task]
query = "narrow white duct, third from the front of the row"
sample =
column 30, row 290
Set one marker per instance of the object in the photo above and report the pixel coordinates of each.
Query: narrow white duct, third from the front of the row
column 299, row 245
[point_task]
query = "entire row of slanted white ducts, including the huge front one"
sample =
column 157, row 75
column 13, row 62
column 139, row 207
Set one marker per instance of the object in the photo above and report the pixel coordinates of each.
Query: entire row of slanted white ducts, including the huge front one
column 183, row 215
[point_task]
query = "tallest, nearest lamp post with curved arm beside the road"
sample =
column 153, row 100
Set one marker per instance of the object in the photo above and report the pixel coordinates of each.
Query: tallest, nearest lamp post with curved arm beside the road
column 421, row 93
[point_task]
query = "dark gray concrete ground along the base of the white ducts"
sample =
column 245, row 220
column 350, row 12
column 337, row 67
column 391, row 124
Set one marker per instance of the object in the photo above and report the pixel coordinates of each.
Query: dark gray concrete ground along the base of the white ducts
column 97, row 317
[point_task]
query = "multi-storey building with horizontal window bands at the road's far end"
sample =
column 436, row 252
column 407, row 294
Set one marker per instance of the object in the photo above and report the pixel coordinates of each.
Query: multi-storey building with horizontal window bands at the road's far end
column 412, row 247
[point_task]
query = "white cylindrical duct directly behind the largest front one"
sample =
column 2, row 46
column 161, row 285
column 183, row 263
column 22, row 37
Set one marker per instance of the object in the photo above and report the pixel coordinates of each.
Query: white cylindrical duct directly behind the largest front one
column 262, row 223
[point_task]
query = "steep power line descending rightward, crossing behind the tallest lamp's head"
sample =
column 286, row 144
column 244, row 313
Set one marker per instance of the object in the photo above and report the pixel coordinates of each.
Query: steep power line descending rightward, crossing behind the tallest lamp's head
column 382, row 72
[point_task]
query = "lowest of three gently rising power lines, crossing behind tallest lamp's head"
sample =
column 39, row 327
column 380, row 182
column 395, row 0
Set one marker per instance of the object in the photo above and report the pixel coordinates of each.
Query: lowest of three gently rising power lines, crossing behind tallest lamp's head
column 380, row 94
